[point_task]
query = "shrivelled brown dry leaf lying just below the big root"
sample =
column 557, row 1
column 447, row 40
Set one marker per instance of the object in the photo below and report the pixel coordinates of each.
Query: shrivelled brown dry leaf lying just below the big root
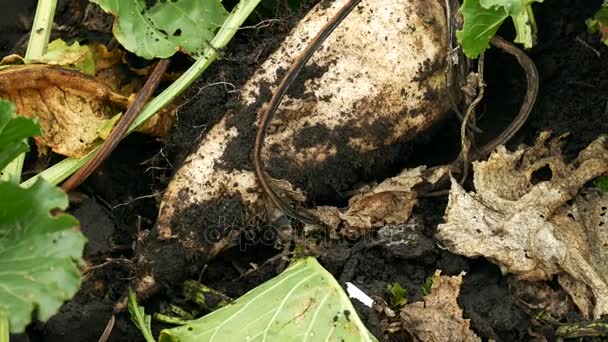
column 390, row 202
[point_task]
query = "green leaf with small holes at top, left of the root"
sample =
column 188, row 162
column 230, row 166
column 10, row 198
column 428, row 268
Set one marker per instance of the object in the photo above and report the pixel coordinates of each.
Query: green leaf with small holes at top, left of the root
column 159, row 28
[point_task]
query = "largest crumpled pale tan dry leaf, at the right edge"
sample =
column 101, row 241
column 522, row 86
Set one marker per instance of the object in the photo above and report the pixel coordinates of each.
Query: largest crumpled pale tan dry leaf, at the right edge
column 554, row 227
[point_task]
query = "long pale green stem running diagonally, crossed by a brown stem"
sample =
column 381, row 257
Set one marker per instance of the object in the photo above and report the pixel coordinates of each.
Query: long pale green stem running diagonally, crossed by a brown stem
column 62, row 170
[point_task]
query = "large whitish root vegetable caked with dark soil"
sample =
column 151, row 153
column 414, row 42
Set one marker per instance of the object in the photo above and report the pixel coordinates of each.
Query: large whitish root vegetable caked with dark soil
column 377, row 81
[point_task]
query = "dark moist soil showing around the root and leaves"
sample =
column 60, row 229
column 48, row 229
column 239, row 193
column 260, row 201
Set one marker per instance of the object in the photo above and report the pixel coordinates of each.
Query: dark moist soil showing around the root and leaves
column 118, row 204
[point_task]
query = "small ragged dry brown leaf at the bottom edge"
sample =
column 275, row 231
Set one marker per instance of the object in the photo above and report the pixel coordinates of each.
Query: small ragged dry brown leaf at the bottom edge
column 438, row 317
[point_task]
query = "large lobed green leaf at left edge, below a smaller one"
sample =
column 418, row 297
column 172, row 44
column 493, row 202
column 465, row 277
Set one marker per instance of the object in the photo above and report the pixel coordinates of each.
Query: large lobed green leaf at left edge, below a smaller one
column 39, row 252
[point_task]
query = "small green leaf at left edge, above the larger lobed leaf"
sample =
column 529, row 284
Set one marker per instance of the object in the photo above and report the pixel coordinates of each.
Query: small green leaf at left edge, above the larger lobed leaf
column 14, row 132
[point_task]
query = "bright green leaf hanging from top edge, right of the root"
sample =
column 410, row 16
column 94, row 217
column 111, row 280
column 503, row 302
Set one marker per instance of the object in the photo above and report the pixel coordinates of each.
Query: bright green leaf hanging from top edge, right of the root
column 482, row 18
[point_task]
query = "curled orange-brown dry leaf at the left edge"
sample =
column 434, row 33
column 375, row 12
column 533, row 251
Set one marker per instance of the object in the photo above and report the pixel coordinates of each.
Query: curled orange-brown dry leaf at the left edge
column 72, row 108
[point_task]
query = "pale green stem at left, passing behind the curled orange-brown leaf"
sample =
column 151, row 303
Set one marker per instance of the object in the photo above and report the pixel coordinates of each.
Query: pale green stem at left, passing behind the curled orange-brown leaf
column 36, row 47
